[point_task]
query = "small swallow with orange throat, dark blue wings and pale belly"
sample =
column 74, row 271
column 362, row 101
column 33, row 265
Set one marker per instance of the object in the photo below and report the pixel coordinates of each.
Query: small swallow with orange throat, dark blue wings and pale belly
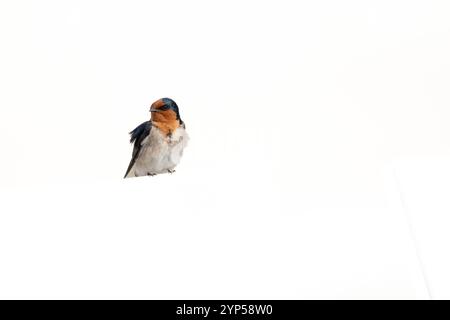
column 158, row 142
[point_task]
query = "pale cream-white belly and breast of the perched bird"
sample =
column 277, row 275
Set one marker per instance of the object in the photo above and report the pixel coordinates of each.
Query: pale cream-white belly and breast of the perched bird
column 160, row 154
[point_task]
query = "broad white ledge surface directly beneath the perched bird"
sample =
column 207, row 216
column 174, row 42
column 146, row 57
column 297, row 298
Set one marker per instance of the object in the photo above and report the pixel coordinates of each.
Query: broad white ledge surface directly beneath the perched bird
column 179, row 237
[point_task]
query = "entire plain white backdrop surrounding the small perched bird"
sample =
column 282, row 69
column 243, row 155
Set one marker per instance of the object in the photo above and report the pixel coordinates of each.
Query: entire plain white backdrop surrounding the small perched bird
column 316, row 167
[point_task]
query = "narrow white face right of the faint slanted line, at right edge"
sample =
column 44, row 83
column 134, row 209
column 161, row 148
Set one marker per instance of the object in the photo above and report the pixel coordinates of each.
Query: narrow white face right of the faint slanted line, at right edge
column 426, row 188
